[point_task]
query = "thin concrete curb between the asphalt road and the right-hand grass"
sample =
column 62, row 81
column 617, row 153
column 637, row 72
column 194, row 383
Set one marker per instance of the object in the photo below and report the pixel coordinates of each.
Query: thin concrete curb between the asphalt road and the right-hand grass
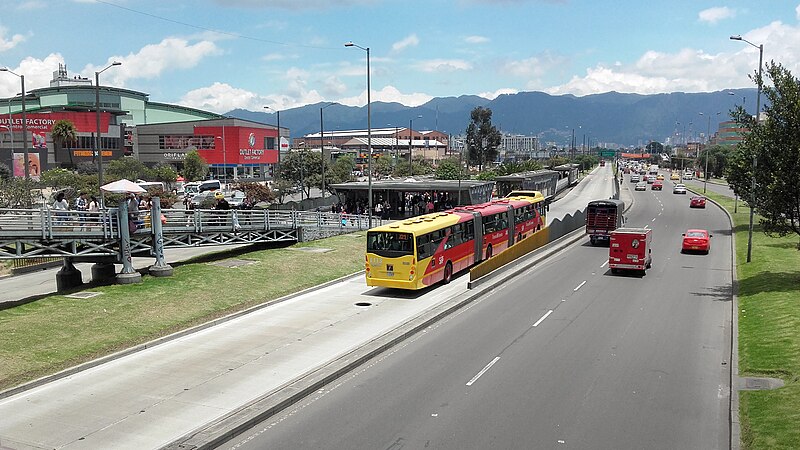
column 734, row 424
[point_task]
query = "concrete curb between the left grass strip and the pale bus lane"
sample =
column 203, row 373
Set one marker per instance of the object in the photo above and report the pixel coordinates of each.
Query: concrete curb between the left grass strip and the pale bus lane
column 104, row 359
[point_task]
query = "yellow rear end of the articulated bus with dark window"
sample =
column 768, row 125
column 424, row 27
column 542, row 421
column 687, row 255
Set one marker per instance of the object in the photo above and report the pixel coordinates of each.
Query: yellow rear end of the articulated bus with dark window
column 390, row 259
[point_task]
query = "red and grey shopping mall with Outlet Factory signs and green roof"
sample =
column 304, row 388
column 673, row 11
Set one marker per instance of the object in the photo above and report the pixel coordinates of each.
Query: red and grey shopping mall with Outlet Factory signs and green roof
column 130, row 126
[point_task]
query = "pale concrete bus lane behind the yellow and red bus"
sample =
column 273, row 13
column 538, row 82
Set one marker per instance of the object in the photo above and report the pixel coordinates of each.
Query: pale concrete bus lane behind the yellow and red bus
column 151, row 397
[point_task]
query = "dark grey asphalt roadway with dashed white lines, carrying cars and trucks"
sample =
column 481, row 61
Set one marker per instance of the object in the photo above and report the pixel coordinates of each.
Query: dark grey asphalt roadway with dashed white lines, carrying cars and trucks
column 565, row 354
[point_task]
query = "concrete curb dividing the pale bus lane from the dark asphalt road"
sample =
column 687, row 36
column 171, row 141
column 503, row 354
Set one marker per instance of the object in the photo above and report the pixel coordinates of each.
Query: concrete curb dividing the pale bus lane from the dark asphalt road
column 216, row 433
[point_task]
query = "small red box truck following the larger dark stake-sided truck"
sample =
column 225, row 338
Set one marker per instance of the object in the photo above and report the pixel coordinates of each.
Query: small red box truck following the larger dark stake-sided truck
column 629, row 249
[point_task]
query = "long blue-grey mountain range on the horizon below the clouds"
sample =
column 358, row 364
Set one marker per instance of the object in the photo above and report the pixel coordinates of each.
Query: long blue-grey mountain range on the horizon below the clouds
column 607, row 119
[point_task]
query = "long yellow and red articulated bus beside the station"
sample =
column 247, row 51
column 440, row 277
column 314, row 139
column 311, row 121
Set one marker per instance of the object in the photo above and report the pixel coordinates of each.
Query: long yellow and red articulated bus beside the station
column 418, row 252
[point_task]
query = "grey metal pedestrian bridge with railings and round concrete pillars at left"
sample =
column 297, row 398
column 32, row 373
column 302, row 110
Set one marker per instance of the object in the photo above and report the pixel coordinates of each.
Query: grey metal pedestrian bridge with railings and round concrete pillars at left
column 112, row 236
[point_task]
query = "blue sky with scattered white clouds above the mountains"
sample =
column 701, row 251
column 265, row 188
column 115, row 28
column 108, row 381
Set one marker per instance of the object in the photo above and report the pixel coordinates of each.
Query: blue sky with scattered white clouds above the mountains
column 218, row 55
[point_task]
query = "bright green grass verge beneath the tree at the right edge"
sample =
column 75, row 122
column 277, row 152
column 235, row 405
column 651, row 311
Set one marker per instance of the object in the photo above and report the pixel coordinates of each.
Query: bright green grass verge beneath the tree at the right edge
column 769, row 331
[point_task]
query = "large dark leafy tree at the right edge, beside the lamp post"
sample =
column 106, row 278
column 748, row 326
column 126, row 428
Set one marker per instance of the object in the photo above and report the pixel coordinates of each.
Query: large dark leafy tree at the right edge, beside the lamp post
column 770, row 154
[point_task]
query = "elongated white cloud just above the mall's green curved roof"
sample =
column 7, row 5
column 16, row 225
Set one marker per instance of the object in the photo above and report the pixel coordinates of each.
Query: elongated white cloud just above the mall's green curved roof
column 155, row 59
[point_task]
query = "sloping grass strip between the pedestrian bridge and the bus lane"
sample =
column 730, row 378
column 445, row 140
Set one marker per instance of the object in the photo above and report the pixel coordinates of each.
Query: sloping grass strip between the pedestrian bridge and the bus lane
column 57, row 332
